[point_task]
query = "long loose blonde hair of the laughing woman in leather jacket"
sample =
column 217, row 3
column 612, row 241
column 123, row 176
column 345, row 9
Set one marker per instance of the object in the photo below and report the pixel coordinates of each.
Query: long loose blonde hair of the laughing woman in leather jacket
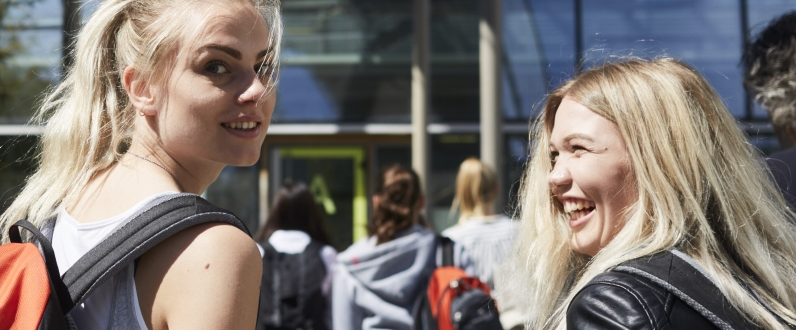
column 701, row 189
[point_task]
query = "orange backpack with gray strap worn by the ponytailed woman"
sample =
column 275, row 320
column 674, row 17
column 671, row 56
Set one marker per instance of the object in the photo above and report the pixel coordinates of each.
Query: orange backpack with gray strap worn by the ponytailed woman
column 34, row 296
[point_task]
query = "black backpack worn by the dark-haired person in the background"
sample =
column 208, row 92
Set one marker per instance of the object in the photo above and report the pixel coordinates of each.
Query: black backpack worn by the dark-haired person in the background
column 291, row 291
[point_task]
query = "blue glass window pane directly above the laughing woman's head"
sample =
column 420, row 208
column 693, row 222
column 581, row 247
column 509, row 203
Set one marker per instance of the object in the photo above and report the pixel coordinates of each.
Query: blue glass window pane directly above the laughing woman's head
column 704, row 33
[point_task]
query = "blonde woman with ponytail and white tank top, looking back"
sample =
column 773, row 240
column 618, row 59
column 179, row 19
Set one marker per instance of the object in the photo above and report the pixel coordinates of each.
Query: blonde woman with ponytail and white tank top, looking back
column 162, row 95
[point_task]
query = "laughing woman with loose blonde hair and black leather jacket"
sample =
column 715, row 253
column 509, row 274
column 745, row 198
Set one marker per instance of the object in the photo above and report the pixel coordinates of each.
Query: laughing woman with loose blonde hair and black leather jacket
column 632, row 161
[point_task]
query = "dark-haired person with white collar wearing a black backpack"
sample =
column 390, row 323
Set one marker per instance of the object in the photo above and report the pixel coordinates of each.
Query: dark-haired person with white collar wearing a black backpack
column 298, row 263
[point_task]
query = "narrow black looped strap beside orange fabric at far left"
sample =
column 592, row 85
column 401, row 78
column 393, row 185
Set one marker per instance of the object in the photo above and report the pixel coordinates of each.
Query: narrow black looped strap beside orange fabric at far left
column 60, row 290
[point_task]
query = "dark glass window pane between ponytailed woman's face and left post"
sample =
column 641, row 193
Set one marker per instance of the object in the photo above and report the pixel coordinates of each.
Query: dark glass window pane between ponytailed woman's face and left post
column 345, row 61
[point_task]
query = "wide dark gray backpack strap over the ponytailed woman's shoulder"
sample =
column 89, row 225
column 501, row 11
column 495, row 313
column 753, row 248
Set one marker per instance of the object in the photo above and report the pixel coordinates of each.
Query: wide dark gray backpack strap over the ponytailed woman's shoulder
column 168, row 216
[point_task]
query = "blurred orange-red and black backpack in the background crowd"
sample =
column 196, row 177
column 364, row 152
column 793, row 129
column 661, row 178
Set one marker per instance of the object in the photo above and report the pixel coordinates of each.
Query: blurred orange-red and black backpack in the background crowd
column 453, row 299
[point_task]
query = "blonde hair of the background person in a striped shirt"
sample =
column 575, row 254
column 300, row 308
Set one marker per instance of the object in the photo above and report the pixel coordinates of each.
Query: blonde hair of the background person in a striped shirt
column 476, row 189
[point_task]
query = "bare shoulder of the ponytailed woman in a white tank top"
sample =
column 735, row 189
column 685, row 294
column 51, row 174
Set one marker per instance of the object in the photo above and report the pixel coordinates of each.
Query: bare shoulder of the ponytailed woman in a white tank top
column 205, row 277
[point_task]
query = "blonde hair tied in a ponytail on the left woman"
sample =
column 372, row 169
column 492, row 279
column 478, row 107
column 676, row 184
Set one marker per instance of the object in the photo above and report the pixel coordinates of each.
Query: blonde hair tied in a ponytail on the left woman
column 89, row 121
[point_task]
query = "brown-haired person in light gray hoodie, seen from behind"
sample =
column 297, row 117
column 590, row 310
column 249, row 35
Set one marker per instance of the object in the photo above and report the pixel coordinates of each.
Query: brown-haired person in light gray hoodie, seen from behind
column 378, row 280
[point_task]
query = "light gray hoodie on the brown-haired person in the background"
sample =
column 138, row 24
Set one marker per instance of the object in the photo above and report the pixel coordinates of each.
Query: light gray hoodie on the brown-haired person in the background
column 375, row 287
